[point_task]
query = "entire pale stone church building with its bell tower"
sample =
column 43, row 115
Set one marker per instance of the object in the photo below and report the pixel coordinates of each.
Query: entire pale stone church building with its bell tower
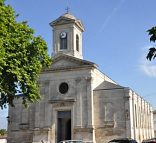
column 78, row 101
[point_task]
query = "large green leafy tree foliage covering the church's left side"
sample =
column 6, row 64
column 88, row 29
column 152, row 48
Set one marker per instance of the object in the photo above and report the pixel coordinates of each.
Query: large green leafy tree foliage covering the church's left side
column 22, row 57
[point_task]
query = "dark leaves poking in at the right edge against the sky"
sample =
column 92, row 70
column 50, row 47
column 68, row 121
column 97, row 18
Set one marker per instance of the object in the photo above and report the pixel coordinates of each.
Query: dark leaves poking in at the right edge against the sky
column 152, row 51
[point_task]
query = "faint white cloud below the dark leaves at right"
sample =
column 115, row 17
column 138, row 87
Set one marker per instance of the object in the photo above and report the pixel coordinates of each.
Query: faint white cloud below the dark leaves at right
column 147, row 67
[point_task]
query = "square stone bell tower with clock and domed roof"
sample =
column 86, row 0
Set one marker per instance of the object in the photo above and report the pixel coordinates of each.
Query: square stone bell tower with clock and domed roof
column 67, row 36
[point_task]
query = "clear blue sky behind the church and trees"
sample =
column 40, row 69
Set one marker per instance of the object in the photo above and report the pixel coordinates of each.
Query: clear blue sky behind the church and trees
column 115, row 37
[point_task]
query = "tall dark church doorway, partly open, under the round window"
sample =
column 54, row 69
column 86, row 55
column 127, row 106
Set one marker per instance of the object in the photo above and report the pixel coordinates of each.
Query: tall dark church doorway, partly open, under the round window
column 63, row 125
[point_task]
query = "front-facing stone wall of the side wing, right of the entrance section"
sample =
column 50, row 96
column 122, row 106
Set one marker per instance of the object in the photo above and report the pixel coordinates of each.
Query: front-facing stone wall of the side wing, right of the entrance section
column 109, row 114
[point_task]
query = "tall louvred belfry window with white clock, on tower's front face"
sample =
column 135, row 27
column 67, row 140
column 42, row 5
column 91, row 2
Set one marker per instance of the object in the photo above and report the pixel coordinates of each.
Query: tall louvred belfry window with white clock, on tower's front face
column 63, row 41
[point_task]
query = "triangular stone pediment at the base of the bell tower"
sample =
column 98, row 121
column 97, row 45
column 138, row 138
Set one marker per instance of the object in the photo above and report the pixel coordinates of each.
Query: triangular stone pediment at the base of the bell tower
column 65, row 62
